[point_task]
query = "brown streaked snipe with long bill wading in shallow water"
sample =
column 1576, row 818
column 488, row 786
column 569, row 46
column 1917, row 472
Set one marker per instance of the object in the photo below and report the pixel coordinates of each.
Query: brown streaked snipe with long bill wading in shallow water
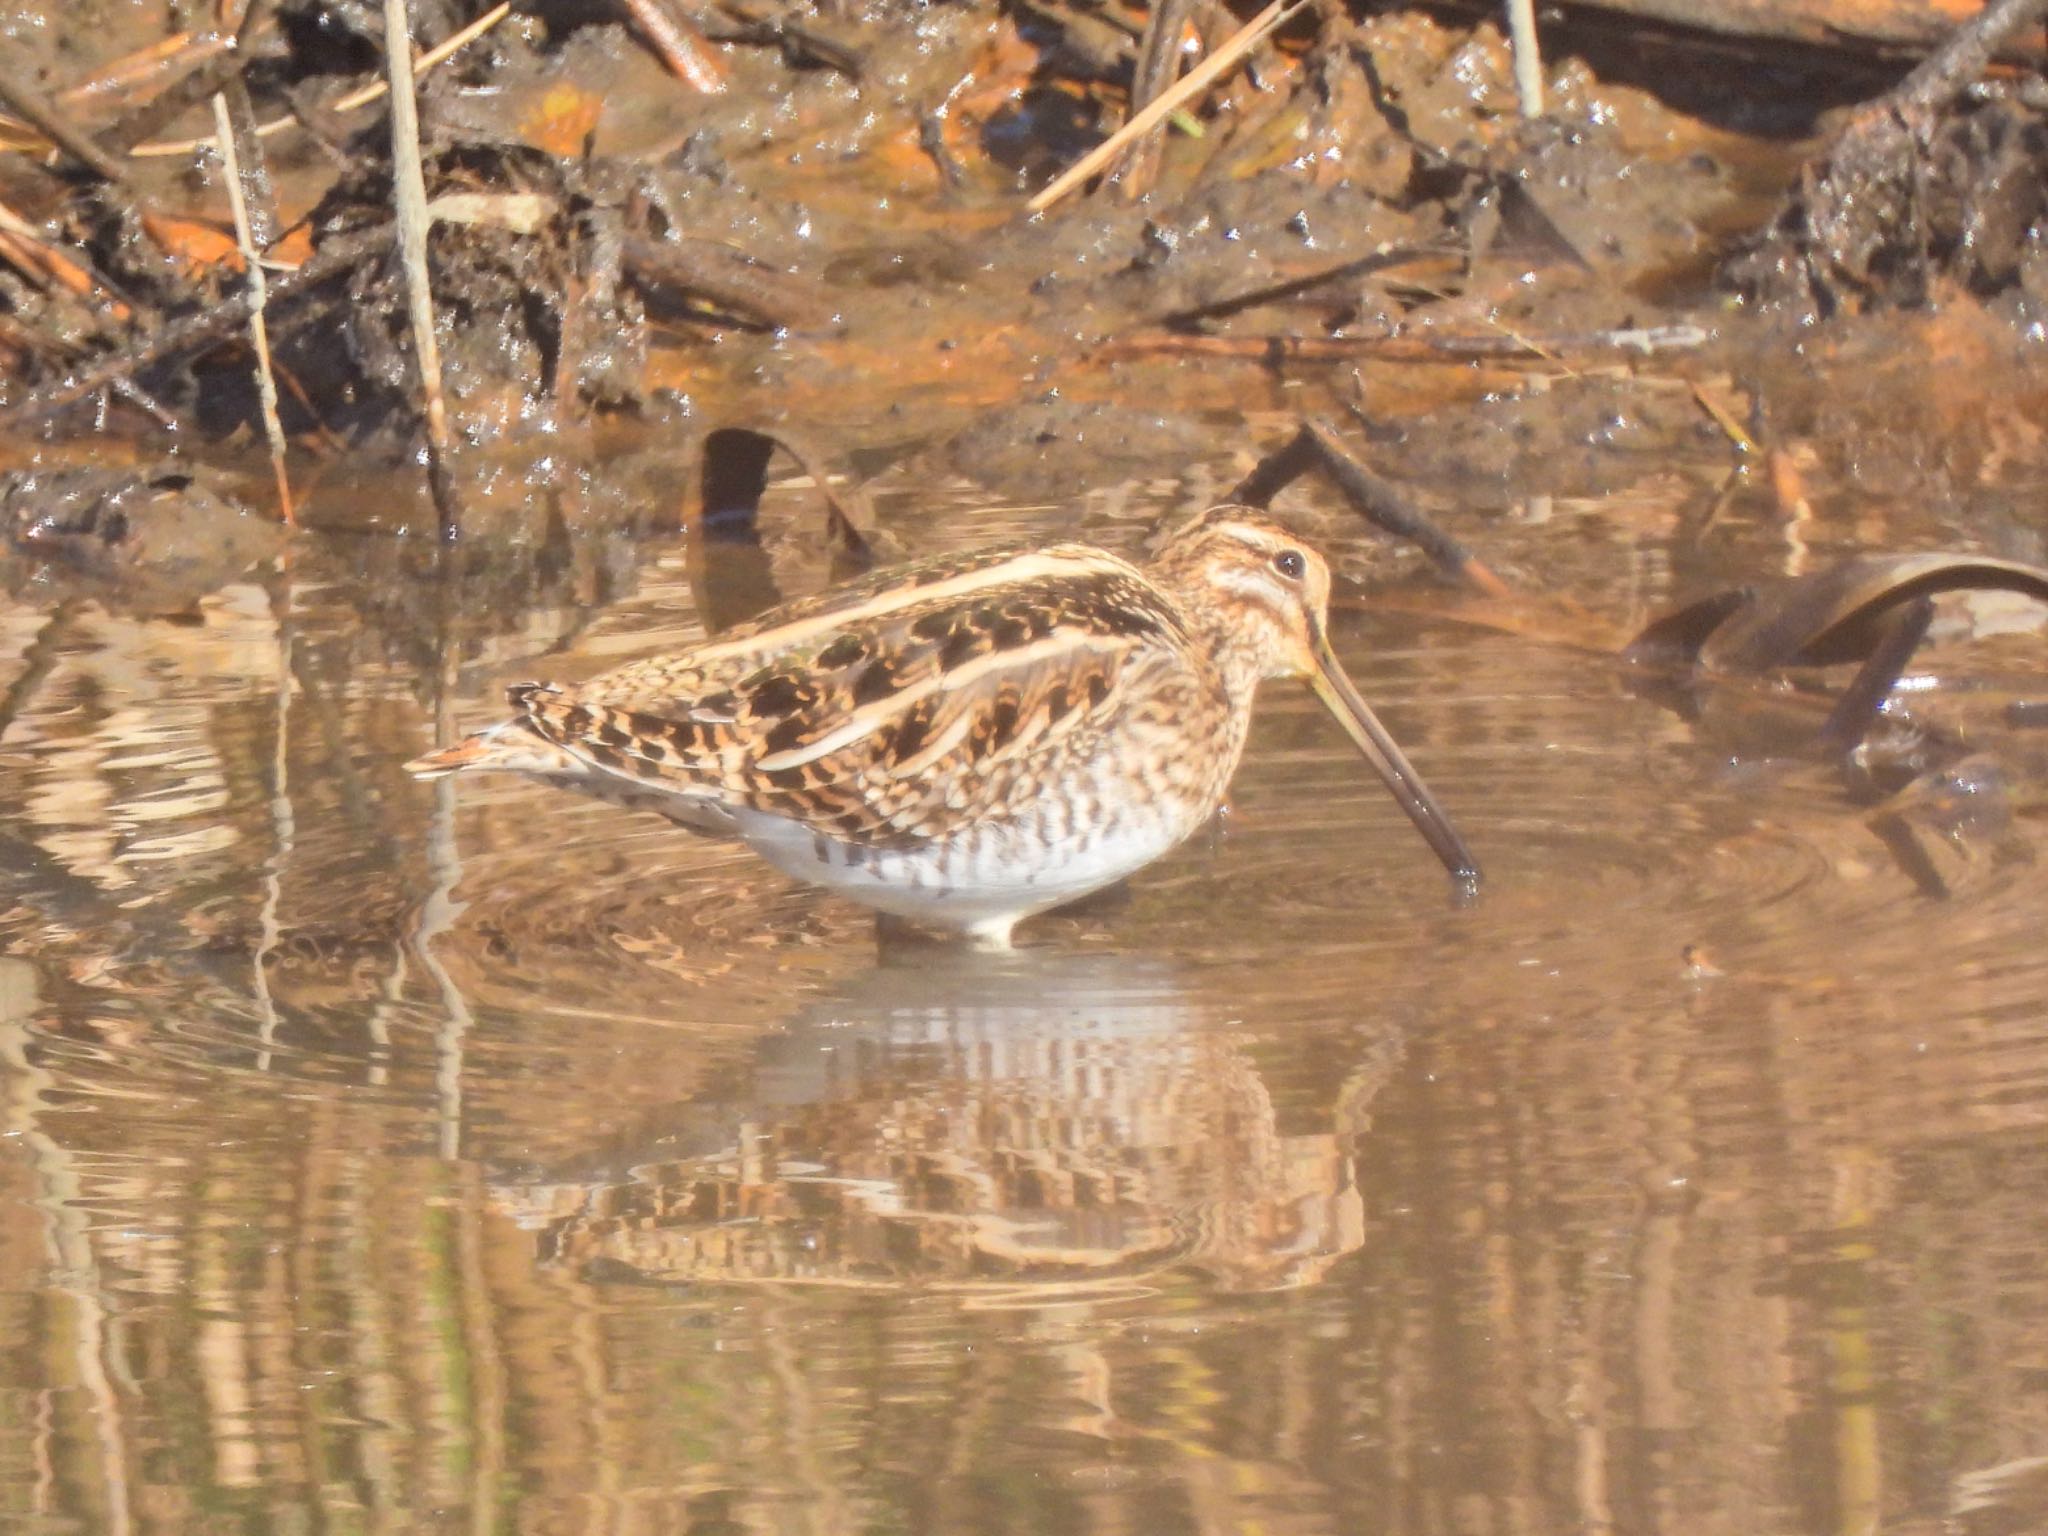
column 972, row 740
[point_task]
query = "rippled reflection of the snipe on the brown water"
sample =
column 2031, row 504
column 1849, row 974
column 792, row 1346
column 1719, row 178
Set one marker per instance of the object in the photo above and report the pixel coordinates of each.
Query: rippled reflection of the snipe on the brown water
column 1023, row 1129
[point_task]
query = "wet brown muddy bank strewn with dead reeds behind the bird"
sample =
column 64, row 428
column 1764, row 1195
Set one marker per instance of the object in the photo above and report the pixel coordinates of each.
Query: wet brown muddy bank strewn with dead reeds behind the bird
column 824, row 222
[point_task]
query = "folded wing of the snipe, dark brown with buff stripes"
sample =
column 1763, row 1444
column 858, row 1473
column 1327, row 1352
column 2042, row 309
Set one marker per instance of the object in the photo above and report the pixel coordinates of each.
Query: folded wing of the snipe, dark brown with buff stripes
column 882, row 712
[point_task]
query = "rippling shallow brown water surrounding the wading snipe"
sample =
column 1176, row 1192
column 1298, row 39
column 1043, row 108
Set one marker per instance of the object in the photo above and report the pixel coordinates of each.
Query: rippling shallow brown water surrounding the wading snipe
column 382, row 1150
